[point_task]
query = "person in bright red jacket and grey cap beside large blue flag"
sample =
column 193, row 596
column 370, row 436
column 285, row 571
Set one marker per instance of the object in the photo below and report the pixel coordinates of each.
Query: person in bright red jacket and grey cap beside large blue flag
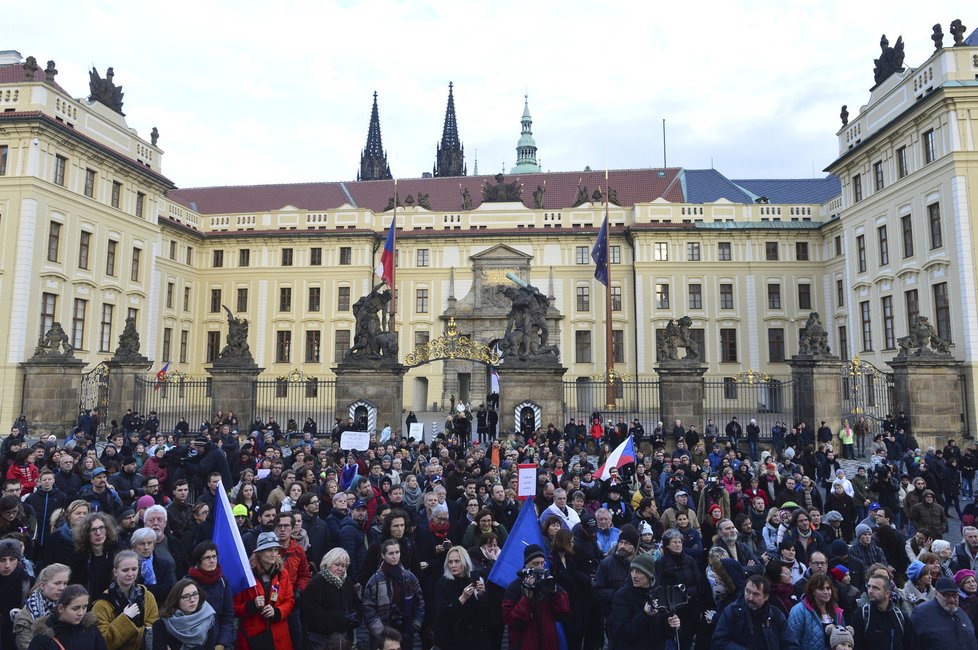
column 263, row 610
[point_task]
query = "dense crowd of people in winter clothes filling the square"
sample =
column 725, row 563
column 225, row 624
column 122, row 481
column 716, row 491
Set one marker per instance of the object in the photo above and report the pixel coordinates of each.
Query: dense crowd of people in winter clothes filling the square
column 720, row 539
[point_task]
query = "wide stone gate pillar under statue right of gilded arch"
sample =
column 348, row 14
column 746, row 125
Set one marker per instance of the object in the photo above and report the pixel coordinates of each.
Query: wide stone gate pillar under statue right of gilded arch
column 542, row 385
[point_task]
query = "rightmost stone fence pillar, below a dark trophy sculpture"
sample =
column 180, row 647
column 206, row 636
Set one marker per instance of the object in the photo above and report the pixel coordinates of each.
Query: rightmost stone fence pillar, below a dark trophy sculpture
column 928, row 389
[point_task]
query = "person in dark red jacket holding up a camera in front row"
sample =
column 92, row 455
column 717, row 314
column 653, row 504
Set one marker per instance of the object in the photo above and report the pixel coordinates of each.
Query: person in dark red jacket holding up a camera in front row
column 532, row 604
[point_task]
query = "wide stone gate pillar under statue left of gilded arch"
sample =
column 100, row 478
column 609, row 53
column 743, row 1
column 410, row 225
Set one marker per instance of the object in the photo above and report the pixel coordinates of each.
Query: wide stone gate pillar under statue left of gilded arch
column 378, row 383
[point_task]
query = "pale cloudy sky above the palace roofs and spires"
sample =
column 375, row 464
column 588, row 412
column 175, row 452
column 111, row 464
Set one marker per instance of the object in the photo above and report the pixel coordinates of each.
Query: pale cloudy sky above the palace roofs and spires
column 250, row 92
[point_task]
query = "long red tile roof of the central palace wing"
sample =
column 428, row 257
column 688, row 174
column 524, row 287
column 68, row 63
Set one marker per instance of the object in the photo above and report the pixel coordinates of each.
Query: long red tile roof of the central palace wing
column 444, row 194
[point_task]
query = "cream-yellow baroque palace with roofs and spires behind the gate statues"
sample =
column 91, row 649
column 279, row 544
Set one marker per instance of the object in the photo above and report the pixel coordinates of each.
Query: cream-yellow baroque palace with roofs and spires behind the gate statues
column 93, row 232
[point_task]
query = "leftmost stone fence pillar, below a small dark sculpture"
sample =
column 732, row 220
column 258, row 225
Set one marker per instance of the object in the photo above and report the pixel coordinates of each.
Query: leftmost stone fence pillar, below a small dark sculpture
column 52, row 387
